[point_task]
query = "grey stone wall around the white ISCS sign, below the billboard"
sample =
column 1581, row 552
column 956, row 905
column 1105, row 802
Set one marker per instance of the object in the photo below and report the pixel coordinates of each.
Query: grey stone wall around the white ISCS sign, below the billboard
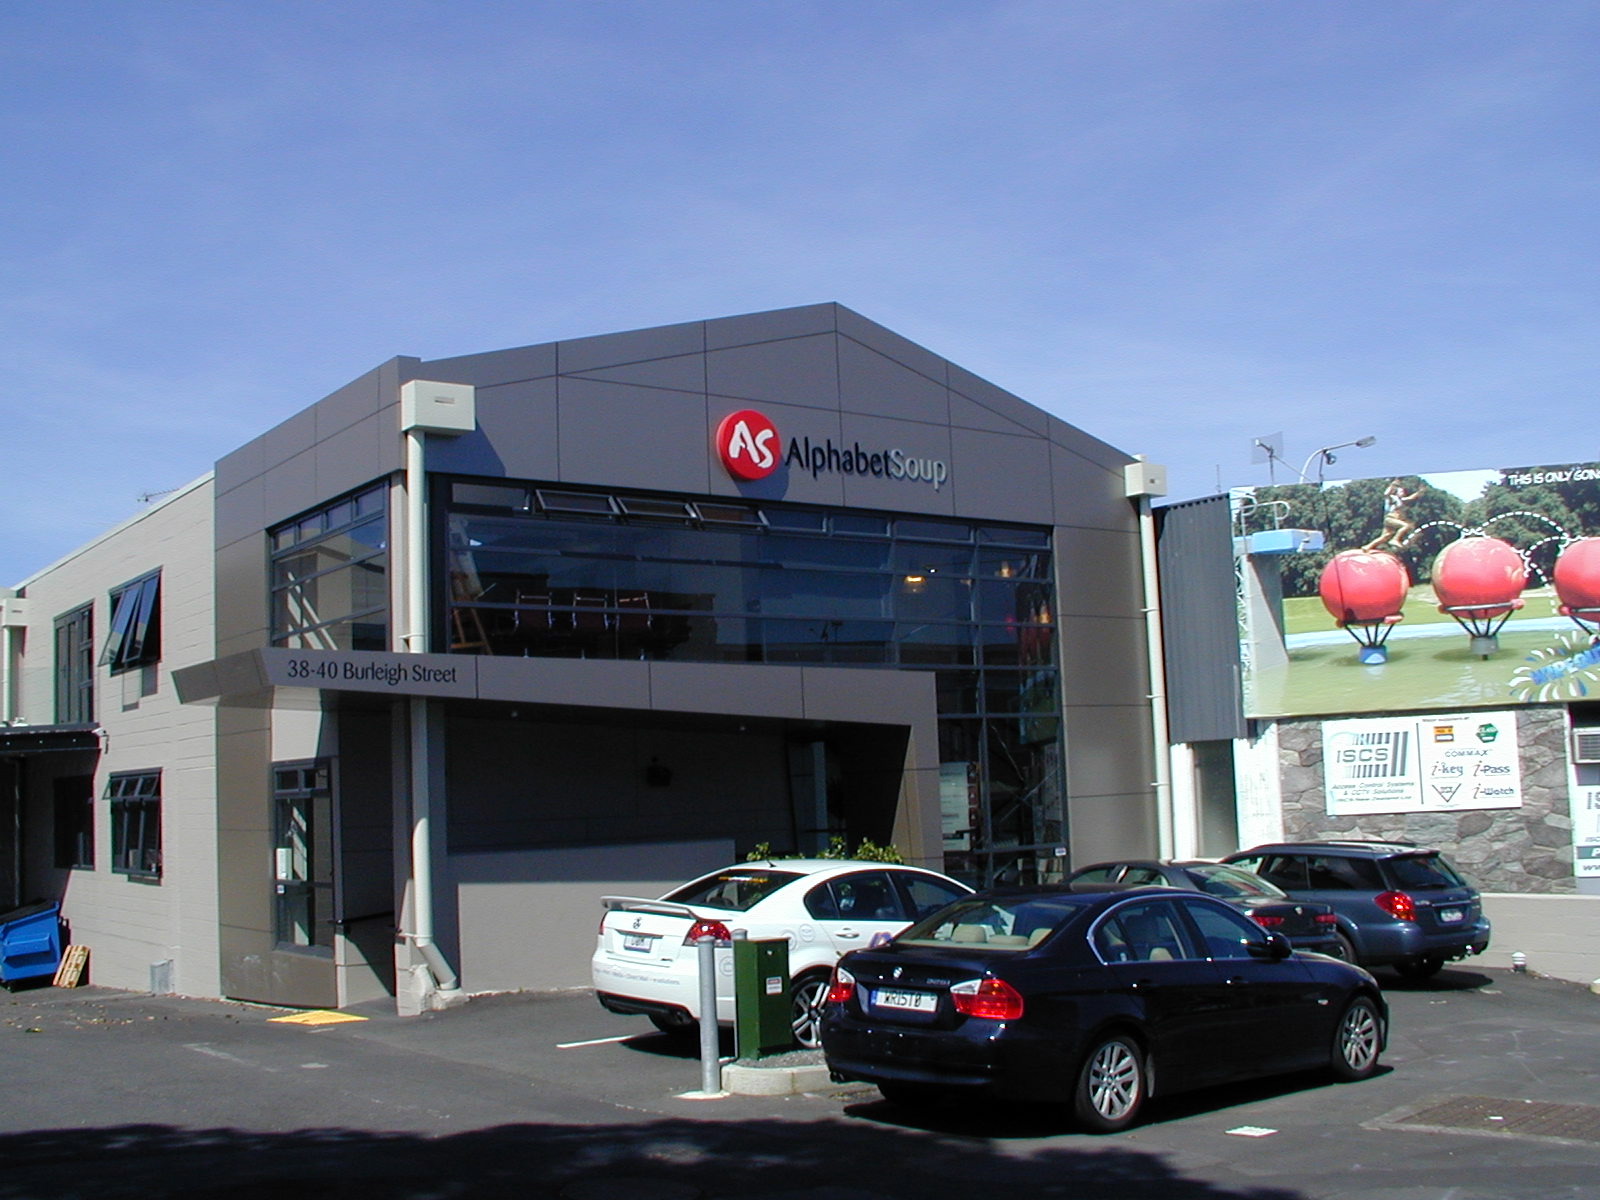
column 1511, row 850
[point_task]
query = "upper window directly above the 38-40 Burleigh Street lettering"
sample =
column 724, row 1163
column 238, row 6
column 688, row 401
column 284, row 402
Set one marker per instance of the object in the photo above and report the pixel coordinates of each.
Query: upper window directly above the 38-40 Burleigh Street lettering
column 330, row 577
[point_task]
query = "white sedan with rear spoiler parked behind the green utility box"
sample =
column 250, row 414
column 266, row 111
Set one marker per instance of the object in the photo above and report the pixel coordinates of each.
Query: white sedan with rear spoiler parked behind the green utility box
column 647, row 961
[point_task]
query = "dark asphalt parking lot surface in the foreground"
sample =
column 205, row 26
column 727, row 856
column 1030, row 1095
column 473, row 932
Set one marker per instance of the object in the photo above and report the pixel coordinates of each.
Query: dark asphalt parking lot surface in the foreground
column 1492, row 1090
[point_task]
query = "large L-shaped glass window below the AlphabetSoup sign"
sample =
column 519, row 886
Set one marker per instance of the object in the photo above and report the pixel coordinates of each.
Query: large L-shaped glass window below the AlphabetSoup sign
column 567, row 574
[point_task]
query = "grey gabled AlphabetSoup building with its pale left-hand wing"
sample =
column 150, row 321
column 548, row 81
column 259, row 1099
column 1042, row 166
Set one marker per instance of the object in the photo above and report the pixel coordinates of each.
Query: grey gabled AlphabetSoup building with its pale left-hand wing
column 386, row 703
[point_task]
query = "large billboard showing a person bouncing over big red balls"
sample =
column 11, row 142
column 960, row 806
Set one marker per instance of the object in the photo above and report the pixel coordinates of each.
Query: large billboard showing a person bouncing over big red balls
column 1470, row 590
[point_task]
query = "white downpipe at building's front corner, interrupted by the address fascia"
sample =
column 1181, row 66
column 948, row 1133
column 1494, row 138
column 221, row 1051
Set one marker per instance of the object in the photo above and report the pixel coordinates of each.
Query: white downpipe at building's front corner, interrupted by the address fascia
column 422, row 761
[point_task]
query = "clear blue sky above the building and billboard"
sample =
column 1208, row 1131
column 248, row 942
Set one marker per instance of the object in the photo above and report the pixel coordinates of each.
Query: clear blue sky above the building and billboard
column 1177, row 225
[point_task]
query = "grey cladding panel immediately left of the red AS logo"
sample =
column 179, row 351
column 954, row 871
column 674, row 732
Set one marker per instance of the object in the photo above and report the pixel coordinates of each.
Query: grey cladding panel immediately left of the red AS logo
column 639, row 438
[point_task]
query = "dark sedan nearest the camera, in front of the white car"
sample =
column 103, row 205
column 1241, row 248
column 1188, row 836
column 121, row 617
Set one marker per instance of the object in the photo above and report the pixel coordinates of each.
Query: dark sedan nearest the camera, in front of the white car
column 1098, row 1001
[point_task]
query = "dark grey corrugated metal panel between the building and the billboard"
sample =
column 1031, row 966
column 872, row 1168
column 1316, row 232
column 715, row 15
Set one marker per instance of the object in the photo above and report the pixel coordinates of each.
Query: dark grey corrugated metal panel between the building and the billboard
column 1201, row 622
